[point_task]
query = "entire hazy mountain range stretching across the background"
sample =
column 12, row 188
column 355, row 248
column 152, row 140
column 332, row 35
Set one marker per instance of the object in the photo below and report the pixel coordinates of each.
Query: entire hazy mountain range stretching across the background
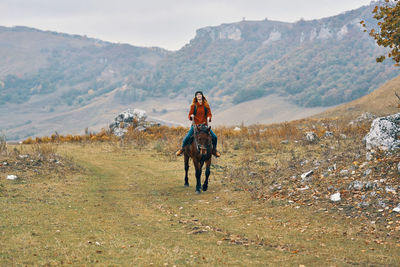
column 306, row 64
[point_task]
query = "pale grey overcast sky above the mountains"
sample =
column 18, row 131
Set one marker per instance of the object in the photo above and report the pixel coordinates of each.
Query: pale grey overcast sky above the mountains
column 169, row 24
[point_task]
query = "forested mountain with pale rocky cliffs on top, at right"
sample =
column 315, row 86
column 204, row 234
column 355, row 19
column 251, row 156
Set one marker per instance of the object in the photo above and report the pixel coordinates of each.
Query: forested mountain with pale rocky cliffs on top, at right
column 314, row 63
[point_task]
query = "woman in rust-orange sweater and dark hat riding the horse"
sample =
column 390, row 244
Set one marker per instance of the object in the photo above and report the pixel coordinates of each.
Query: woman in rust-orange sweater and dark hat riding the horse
column 200, row 112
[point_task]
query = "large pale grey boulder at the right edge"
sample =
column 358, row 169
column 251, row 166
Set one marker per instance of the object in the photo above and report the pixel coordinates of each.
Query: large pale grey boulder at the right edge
column 384, row 133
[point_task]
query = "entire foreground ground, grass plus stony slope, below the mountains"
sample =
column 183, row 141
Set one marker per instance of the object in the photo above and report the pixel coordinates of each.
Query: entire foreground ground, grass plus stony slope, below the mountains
column 126, row 203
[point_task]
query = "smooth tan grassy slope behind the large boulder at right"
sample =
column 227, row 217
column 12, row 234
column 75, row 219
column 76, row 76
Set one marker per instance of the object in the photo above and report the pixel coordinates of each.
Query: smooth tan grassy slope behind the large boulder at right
column 382, row 101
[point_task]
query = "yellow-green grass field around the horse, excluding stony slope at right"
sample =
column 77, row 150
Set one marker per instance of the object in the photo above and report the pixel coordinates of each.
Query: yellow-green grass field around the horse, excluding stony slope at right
column 109, row 204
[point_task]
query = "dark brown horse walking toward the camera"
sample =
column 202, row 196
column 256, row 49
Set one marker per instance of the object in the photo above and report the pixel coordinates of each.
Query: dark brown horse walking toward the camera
column 200, row 150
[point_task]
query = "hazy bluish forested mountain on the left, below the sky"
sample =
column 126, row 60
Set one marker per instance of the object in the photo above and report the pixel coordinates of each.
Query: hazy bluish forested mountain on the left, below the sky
column 74, row 68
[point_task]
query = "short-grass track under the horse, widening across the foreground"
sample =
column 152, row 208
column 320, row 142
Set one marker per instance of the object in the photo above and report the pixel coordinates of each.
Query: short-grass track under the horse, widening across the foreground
column 131, row 208
